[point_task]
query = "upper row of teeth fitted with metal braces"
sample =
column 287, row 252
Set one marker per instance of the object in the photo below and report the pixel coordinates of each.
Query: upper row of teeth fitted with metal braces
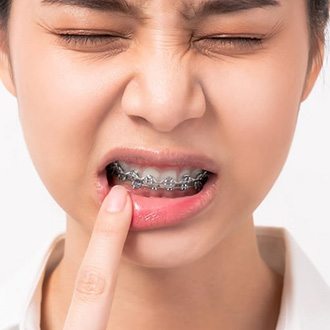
column 153, row 178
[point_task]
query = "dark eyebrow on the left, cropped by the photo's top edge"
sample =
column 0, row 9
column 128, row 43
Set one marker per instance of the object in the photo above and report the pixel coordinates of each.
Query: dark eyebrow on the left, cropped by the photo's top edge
column 102, row 5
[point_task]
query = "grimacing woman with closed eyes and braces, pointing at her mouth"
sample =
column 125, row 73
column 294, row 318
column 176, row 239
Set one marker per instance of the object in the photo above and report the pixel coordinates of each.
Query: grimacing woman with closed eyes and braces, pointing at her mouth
column 190, row 106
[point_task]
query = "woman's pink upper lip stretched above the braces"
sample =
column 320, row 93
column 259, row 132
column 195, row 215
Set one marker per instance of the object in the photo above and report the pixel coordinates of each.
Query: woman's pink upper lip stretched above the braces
column 158, row 158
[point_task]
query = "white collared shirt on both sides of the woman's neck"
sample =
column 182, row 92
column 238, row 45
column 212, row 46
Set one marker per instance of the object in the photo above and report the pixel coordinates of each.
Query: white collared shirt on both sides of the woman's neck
column 305, row 303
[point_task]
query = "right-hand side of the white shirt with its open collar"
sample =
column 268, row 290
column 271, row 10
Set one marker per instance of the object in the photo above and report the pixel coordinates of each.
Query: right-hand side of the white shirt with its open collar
column 305, row 302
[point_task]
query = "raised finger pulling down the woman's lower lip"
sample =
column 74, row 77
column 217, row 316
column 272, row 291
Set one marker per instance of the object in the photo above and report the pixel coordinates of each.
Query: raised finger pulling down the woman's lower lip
column 96, row 279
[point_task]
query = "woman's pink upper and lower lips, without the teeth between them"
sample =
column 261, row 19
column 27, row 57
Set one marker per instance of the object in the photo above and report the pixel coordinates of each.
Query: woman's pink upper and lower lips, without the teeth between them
column 157, row 212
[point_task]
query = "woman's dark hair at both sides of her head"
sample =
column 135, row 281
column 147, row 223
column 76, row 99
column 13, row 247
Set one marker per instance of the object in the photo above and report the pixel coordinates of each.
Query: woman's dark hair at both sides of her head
column 318, row 15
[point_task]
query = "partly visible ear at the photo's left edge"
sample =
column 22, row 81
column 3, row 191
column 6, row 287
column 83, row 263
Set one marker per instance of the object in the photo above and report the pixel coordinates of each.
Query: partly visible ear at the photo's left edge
column 5, row 66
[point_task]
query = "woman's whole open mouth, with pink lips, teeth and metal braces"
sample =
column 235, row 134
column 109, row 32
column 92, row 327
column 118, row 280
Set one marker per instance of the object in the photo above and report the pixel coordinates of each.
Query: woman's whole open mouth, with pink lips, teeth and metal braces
column 166, row 187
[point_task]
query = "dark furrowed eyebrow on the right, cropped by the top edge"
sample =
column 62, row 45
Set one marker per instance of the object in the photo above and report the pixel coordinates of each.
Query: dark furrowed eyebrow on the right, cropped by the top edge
column 218, row 7
